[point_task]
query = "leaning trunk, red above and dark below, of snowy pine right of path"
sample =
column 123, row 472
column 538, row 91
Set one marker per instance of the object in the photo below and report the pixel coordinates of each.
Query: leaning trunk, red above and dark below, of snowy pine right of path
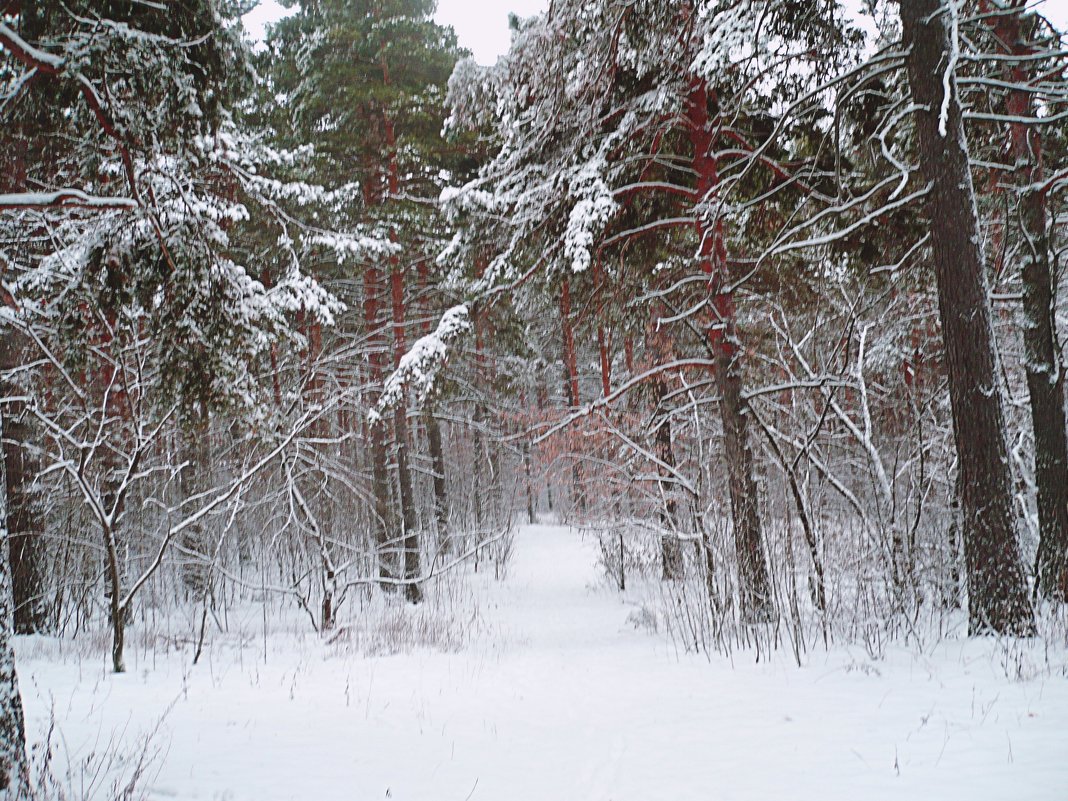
column 755, row 584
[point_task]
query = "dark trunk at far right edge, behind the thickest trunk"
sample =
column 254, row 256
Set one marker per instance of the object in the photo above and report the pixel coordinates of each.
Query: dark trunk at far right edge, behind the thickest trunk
column 1046, row 384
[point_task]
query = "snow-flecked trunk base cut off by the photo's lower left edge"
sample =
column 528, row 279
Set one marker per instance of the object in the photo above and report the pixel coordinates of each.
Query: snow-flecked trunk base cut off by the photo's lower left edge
column 12, row 726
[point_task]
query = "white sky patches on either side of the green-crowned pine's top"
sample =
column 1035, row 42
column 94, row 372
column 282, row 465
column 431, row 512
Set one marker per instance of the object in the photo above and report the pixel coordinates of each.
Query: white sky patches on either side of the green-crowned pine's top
column 482, row 26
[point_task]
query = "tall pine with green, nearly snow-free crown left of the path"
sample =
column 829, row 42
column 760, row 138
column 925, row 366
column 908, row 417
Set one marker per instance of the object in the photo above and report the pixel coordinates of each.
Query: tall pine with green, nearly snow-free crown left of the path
column 365, row 84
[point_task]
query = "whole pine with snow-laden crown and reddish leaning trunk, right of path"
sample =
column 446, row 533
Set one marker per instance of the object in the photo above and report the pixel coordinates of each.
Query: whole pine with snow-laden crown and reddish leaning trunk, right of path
column 586, row 111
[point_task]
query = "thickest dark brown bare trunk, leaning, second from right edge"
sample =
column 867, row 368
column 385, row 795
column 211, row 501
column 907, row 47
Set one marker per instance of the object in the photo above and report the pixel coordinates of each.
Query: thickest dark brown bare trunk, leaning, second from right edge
column 997, row 589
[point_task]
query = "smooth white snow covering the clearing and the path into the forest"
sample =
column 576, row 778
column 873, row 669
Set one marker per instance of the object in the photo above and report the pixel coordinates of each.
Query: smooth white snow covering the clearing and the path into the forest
column 561, row 699
